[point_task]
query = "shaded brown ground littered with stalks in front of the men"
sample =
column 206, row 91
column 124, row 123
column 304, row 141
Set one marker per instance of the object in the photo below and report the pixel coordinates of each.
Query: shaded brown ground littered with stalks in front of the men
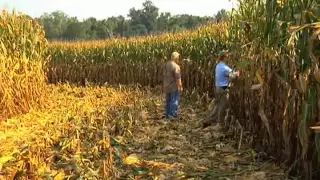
column 193, row 153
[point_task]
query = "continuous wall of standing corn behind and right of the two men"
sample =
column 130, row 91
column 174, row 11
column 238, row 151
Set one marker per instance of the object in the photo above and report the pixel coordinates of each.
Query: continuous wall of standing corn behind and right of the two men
column 274, row 43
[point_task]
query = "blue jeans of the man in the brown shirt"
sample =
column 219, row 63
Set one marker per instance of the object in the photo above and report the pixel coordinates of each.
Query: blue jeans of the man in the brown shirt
column 172, row 102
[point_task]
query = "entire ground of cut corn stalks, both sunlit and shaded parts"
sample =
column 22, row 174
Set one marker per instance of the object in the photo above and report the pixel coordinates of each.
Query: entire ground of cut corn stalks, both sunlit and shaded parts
column 113, row 133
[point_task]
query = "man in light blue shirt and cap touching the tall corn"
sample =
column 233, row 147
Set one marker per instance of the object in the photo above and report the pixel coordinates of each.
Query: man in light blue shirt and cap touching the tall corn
column 223, row 74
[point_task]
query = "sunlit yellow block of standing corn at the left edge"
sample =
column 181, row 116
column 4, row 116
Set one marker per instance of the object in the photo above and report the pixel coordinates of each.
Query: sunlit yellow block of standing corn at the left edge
column 22, row 56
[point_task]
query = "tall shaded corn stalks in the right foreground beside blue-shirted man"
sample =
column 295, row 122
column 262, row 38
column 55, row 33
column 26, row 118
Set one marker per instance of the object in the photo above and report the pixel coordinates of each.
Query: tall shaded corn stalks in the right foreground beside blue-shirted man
column 277, row 46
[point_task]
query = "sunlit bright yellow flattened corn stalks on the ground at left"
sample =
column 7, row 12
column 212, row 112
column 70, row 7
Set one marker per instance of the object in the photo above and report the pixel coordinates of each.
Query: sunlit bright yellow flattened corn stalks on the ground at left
column 74, row 136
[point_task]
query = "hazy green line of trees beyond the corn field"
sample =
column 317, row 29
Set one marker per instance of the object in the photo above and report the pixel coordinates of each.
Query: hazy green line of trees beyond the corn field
column 145, row 21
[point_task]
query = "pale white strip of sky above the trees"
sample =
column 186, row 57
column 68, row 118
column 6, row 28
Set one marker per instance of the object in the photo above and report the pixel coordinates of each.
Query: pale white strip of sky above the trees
column 102, row 9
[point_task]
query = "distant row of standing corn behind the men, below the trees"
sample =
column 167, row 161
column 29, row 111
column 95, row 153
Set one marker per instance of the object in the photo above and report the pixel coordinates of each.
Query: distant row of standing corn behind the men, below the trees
column 138, row 60
